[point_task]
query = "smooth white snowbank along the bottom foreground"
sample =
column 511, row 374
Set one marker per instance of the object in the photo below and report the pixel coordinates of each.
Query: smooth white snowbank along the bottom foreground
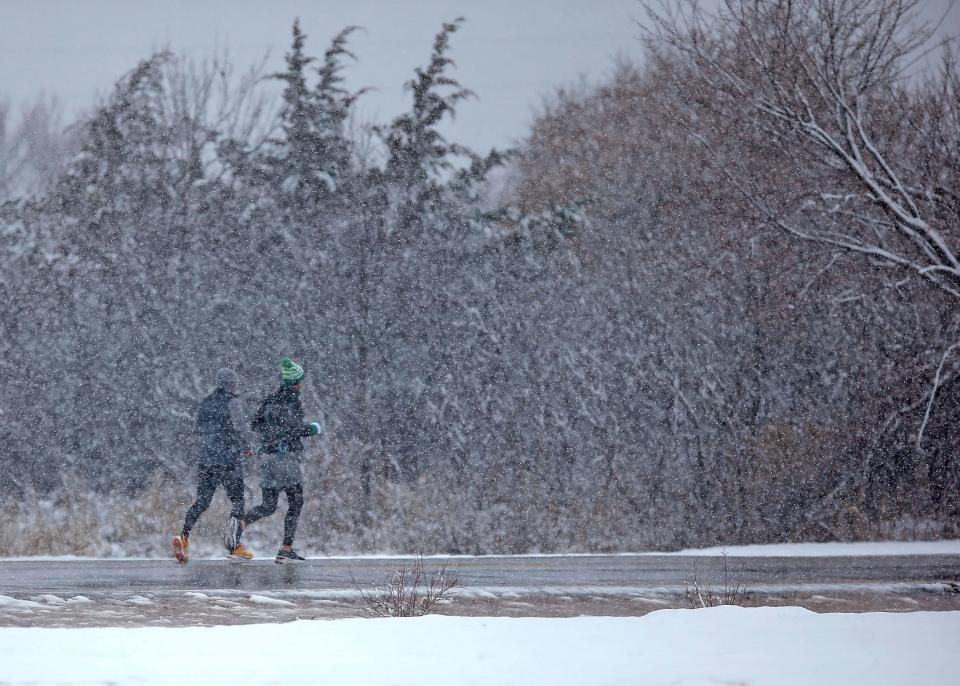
column 782, row 646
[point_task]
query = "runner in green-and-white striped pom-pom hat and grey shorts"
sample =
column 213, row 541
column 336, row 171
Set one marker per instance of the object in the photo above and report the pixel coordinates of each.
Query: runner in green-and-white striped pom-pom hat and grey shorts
column 280, row 424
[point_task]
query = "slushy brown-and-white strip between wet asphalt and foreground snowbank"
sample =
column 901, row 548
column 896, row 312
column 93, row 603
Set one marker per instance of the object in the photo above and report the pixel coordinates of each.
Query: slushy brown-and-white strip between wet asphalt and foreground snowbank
column 225, row 607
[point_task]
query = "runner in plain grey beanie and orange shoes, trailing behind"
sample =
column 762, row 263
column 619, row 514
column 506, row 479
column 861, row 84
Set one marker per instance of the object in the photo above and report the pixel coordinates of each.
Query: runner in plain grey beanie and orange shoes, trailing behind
column 219, row 462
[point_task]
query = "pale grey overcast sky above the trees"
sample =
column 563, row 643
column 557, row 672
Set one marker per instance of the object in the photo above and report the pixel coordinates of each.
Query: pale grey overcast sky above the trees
column 510, row 52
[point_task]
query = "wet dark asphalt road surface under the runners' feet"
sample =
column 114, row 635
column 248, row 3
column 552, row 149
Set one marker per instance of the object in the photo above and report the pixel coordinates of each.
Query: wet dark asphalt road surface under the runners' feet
column 600, row 571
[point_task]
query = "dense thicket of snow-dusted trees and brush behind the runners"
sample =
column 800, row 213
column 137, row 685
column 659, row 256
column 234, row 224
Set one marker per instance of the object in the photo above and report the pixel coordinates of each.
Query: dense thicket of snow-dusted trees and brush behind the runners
column 623, row 356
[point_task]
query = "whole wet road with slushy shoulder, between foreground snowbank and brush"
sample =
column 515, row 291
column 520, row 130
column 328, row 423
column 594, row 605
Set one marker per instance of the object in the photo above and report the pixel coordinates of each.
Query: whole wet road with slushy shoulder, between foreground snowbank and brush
column 77, row 593
